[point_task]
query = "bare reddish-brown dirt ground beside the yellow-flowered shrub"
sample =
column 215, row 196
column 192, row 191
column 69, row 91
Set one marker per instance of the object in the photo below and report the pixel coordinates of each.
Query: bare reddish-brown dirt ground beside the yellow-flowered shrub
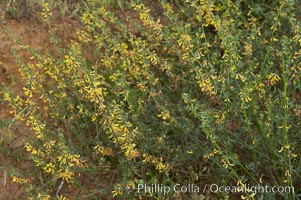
column 32, row 33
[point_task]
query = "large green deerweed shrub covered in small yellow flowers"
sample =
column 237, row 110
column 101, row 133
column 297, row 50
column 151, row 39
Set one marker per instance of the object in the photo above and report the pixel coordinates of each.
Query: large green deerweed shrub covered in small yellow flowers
column 195, row 92
